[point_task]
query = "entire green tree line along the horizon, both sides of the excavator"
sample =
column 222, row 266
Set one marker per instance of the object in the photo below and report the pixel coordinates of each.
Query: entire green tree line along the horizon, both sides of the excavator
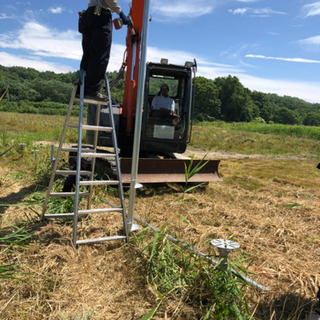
column 223, row 98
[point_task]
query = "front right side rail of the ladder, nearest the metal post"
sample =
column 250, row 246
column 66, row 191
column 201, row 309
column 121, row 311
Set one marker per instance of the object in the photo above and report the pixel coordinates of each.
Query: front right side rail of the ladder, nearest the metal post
column 115, row 146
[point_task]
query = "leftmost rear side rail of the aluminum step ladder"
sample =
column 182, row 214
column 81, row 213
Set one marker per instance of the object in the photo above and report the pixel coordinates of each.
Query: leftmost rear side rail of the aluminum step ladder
column 56, row 161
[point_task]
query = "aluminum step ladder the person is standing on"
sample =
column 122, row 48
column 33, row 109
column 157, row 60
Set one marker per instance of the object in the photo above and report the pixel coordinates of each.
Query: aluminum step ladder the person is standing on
column 82, row 152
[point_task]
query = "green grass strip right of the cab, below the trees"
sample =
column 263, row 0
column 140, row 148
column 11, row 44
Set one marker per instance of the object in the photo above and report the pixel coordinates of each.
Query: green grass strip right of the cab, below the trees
column 266, row 139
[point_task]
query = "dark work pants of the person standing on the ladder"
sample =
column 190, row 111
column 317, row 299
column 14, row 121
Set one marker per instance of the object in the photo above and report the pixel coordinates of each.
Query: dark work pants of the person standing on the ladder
column 96, row 45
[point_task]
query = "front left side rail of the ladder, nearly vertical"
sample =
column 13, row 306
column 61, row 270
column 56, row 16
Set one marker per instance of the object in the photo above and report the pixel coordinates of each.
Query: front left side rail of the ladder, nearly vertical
column 77, row 189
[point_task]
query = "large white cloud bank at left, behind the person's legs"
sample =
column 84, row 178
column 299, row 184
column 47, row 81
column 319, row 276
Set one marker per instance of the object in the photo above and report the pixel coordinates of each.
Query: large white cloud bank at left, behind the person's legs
column 38, row 43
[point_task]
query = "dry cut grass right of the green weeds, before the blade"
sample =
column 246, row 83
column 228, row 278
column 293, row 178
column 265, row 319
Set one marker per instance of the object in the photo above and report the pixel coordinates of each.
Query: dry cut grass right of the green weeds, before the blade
column 274, row 217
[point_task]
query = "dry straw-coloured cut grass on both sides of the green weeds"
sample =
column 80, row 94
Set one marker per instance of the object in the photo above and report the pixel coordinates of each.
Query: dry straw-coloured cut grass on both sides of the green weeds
column 270, row 207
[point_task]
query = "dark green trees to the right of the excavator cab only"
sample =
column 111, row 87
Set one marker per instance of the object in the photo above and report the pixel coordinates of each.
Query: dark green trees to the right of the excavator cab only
column 225, row 98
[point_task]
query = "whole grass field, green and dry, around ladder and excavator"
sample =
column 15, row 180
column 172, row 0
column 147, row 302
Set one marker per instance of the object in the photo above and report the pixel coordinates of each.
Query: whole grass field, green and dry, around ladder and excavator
column 267, row 201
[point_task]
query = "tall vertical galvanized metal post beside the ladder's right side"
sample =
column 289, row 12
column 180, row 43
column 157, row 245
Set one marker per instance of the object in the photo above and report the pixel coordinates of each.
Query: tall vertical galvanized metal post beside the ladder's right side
column 138, row 120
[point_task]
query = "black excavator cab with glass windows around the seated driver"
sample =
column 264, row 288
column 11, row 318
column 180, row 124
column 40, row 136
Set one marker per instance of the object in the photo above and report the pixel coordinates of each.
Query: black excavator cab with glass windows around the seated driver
column 164, row 134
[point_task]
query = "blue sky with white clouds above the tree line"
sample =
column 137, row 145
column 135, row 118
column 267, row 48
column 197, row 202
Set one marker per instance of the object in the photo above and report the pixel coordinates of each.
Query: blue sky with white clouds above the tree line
column 271, row 46
